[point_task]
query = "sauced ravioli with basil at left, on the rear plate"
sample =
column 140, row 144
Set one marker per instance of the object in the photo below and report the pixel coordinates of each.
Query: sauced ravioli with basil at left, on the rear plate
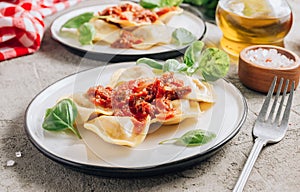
column 126, row 25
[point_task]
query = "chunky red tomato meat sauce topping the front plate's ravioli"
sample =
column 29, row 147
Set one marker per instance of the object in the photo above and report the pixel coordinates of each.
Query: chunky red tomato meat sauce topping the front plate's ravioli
column 141, row 98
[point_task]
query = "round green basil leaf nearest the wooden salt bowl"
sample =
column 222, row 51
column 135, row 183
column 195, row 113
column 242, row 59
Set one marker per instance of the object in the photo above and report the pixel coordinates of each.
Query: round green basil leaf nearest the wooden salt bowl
column 214, row 64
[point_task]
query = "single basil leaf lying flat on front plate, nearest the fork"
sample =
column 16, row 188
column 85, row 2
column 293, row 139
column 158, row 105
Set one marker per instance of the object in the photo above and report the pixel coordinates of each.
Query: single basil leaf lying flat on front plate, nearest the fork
column 192, row 138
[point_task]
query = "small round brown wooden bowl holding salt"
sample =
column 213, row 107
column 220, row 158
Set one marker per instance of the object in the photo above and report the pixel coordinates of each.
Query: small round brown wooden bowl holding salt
column 259, row 78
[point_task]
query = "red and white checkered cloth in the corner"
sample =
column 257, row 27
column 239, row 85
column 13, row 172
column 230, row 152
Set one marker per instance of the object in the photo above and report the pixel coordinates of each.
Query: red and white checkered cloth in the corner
column 22, row 25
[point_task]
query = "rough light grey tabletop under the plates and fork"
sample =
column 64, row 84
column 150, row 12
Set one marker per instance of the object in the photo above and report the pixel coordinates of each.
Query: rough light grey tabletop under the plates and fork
column 277, row 167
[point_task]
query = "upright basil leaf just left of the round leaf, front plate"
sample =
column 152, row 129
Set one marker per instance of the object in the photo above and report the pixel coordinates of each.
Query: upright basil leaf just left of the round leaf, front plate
column 193, row 53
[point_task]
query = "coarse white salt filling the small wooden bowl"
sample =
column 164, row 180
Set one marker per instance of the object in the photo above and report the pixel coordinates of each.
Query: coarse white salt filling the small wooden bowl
column 269, row 58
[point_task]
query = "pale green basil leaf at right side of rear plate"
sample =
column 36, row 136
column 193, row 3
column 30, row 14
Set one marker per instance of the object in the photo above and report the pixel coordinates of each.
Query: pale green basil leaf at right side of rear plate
column 181, row 36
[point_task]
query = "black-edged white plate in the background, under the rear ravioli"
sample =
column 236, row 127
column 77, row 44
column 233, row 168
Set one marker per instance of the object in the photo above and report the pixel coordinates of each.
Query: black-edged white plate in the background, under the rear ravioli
column 185, row 20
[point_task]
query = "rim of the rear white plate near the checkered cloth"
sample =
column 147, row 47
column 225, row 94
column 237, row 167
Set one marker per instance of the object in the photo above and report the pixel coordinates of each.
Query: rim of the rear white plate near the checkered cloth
column 92, row 53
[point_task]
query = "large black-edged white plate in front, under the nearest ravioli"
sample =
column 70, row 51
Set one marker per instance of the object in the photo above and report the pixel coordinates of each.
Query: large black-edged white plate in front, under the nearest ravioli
column 97, row 157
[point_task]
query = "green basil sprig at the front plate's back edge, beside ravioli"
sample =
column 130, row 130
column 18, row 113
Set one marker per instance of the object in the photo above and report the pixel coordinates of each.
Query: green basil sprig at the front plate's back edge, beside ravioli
column 210, row 63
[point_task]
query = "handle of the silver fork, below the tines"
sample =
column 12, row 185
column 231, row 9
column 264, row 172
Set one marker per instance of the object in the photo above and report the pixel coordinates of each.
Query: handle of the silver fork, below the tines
column 257, row 147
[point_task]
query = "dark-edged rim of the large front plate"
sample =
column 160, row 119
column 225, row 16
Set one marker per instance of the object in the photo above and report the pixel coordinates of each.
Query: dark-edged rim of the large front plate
column 120, row 172
